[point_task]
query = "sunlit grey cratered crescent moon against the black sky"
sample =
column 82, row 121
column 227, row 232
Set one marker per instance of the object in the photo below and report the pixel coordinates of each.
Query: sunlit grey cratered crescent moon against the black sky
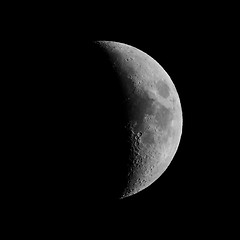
column 148, row 110
